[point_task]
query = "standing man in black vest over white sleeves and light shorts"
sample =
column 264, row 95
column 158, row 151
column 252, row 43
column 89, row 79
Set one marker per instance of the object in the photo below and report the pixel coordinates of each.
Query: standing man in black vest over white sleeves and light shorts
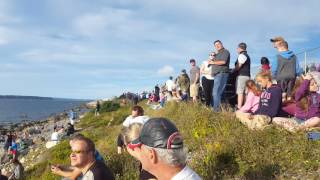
column 243, row 68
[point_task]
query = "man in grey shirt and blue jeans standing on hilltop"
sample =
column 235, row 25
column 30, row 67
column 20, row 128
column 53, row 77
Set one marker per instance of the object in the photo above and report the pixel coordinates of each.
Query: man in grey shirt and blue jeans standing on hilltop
column 220, row 69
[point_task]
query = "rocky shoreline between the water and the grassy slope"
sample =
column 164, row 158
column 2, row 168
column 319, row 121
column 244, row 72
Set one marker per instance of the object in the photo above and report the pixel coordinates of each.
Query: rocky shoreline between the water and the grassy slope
column 36, row 133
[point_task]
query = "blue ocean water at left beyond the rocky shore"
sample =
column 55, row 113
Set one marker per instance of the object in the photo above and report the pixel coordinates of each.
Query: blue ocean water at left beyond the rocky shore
column 13, row 110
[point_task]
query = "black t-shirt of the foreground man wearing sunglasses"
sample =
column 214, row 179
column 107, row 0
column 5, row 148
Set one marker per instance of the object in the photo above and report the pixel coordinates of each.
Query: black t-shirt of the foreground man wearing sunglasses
column 98, row 171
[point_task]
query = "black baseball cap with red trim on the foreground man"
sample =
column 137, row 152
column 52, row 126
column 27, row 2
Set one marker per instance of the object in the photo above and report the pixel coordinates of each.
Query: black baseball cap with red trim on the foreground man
column 158, row 133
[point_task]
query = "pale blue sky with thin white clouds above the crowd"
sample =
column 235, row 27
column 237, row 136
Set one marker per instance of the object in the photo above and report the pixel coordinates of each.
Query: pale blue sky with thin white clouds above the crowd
column 100, row 48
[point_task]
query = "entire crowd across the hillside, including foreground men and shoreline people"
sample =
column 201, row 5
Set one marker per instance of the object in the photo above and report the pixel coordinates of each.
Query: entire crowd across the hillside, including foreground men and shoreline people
column 281, row 94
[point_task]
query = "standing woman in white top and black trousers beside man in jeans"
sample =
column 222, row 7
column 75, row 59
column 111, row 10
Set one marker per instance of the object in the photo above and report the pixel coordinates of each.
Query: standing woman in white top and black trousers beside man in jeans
column 207, row 80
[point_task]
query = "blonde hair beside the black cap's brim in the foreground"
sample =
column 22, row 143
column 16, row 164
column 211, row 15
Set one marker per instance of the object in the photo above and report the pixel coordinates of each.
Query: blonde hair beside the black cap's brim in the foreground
column 131, row 133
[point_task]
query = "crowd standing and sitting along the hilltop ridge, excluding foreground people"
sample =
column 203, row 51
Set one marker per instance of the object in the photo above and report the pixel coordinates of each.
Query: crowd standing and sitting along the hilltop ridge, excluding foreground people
column 279, row 93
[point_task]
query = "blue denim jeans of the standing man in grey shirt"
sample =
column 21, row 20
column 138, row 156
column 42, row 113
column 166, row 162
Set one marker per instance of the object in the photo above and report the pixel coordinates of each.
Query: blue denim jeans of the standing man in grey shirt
column 220, row 82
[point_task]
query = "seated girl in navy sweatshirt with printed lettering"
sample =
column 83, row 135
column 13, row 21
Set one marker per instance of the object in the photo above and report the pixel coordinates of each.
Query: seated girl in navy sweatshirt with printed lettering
column 269, row 106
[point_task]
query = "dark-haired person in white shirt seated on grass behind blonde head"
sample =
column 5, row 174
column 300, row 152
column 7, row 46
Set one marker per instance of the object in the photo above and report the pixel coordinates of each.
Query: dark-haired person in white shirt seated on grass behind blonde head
column 137, row 116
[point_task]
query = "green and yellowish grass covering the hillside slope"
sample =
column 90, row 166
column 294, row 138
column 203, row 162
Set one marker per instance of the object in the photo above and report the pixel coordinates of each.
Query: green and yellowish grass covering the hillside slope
column 219, row 146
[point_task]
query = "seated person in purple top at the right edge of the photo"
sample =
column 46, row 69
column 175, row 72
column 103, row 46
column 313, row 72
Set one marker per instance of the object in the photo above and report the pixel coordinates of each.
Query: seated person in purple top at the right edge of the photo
column 307, row 100
